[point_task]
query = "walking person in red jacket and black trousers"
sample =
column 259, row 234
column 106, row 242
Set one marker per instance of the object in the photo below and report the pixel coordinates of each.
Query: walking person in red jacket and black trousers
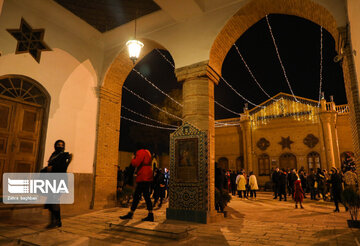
column 142, row 162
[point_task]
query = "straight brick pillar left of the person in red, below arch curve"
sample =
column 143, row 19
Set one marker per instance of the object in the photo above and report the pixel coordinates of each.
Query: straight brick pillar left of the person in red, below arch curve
column 107, row 142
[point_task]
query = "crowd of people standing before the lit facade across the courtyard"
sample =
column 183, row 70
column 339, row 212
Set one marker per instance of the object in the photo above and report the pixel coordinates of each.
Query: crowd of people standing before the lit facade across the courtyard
column 296, row 184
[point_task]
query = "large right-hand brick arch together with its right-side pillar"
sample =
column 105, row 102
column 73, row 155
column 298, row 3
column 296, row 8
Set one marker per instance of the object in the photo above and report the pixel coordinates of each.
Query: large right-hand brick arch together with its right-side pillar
column 255, row 10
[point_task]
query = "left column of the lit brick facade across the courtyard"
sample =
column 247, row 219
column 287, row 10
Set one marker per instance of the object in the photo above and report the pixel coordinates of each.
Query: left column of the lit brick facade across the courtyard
column 245, row 125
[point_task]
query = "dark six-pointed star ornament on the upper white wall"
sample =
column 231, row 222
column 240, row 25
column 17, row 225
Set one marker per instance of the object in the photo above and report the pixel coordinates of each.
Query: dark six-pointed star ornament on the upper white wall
column 29, row 40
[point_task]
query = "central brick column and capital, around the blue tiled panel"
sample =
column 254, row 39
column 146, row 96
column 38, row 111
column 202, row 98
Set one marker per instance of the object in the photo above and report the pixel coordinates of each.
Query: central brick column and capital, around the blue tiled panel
column 198, row 110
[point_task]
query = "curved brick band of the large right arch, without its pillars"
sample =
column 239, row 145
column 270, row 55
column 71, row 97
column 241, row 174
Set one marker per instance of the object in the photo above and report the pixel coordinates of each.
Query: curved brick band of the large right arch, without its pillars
column 254, row 11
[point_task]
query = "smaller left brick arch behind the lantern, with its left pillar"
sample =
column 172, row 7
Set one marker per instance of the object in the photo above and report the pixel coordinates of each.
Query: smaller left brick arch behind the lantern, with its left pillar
column 108, row 126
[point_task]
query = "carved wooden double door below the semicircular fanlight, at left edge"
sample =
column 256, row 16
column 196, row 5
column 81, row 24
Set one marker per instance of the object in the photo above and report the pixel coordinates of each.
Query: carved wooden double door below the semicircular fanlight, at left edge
column 19, row 136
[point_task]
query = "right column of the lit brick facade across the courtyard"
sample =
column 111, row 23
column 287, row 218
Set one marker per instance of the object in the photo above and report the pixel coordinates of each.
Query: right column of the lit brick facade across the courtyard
column 328, row 120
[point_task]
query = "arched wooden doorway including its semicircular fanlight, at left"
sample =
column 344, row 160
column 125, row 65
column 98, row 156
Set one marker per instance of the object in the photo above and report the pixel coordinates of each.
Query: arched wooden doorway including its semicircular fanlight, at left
column 24, row 107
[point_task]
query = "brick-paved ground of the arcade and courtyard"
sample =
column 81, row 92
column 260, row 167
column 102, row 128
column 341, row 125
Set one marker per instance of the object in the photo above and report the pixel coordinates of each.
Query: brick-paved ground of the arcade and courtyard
column 261, row 222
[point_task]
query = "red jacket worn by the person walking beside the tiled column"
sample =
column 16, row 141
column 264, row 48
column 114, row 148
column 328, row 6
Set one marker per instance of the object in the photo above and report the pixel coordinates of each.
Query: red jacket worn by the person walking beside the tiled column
column 142, row 162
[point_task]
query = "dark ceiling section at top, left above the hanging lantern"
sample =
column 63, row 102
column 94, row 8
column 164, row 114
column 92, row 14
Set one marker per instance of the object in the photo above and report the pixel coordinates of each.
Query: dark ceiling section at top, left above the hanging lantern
column 105, row 15
